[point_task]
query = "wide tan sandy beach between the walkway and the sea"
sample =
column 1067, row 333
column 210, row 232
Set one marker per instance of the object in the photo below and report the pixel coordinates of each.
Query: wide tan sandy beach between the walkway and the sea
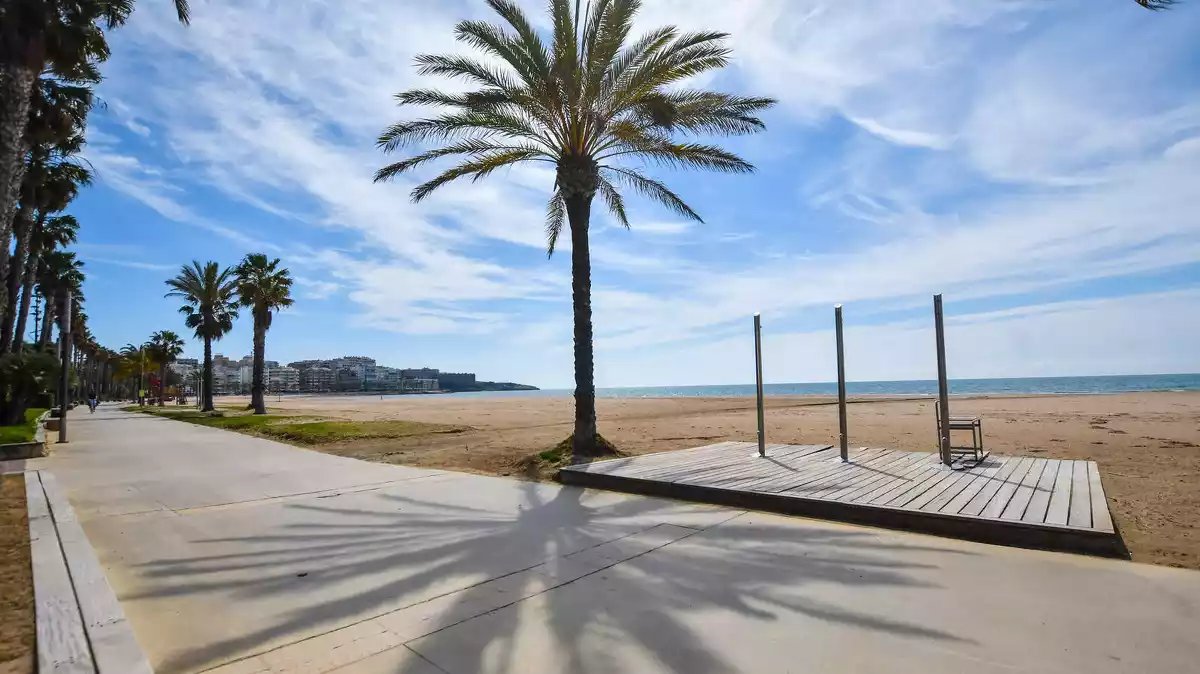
column 1148, row 446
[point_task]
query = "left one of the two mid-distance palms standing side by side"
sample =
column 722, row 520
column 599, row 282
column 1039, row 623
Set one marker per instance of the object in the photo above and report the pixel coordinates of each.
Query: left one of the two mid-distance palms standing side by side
column 212, row 308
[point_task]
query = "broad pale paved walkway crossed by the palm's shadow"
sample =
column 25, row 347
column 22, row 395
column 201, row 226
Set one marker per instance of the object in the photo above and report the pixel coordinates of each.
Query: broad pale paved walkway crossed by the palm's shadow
column 244, row 556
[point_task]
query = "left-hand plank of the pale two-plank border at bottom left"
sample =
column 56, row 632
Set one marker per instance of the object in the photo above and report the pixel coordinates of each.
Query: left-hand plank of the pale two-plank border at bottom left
column 62, row 641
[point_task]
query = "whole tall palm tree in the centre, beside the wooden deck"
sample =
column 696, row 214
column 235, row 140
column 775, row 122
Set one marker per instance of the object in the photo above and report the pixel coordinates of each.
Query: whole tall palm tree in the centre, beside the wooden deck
column 589, row 103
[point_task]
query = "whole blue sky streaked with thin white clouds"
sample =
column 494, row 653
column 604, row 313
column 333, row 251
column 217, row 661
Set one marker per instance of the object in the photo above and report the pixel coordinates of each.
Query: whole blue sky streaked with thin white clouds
column 1037, row 163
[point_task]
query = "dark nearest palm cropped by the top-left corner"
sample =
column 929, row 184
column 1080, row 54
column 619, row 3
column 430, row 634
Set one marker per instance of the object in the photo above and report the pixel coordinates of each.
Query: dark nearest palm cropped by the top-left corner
column 35, row 37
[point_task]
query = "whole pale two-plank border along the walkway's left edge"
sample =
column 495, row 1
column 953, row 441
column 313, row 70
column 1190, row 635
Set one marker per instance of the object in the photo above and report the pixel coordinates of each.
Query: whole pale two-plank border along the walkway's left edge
column 81, row 627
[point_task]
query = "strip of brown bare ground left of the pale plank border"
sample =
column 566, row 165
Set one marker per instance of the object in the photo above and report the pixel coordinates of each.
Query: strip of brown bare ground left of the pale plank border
column 17, row 630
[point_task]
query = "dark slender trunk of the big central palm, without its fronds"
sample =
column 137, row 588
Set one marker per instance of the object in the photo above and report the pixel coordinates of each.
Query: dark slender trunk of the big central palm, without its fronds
column 579, row 214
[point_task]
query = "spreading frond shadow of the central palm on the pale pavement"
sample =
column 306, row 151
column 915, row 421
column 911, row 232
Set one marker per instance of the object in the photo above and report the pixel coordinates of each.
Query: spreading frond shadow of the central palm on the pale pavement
column 427, row 545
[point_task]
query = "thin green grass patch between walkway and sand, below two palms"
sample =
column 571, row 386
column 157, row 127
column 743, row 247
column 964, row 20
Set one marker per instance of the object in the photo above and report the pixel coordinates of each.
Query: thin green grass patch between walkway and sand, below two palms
column 302, row 430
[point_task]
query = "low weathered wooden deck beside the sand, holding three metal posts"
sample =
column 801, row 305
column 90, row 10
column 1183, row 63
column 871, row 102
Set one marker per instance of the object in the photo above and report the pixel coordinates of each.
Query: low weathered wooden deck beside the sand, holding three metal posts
column 1025, row 502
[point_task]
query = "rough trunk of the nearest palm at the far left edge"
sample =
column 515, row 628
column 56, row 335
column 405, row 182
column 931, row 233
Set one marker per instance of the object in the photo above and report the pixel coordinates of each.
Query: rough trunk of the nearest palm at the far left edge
column 16, row 89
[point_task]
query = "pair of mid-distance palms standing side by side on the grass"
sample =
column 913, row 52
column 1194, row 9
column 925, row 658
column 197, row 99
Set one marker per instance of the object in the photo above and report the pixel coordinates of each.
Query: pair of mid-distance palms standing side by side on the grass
column 213, row 297
